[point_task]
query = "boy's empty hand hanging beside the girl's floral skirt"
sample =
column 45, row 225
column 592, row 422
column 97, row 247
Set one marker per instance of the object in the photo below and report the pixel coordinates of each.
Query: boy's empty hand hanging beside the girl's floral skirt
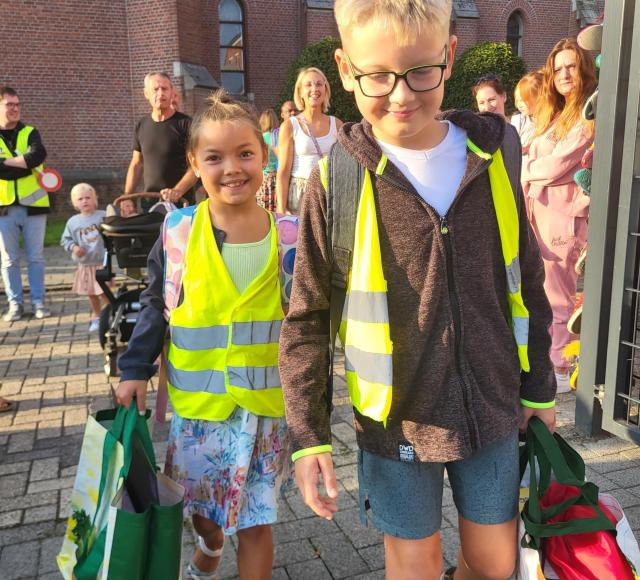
column 308, row 470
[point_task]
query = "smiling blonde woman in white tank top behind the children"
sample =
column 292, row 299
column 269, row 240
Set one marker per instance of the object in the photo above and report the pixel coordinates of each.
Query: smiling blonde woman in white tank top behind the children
column 305, row 138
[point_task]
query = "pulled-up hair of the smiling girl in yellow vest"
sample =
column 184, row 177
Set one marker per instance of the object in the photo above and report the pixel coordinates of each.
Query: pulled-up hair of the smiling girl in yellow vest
column 221, row 107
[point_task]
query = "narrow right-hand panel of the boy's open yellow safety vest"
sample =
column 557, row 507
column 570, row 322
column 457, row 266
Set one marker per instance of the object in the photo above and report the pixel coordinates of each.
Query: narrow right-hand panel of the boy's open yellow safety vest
column 509, row 227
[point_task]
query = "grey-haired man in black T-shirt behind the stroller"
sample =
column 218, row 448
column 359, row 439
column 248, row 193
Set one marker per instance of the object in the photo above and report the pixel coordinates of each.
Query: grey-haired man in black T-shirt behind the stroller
column 159, row 146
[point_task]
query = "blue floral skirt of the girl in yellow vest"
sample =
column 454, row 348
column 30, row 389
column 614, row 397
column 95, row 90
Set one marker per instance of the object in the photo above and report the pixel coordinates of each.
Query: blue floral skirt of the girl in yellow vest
column 233, row 471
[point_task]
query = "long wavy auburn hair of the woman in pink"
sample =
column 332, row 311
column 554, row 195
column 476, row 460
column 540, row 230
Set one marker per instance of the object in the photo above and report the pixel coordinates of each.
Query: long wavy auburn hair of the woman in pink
column 553, row 108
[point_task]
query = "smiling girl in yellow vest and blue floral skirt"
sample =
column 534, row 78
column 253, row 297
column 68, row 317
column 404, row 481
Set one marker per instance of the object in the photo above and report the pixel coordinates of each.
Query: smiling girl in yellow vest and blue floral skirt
column 228, row 443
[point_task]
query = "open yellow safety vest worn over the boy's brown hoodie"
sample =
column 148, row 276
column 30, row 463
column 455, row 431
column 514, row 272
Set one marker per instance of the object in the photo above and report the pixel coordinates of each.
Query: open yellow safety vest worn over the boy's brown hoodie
column 364, row 330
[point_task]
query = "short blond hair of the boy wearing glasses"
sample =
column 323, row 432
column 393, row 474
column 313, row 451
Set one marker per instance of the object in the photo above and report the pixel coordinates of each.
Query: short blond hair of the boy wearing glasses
column 406, row 19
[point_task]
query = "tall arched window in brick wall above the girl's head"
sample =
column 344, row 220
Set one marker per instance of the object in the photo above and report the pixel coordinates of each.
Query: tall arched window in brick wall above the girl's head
column 232, row 74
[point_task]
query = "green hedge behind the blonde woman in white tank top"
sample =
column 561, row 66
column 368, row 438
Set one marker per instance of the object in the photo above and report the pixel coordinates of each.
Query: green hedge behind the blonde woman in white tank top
column 320, row 55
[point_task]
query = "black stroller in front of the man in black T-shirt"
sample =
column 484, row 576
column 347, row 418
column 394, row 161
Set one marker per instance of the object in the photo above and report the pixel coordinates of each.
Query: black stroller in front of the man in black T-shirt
column 129, row 240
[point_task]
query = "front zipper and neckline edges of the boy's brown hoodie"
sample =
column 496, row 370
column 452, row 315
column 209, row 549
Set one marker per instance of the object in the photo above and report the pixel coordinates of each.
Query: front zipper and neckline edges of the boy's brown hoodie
column 454, row 299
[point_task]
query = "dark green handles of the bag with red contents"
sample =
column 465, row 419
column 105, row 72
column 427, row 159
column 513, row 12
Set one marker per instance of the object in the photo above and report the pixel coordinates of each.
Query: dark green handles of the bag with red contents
column 552, row 453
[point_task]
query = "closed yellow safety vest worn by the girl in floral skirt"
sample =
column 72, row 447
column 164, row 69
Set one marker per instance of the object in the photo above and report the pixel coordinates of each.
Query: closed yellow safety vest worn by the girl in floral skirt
column 224, row 345
